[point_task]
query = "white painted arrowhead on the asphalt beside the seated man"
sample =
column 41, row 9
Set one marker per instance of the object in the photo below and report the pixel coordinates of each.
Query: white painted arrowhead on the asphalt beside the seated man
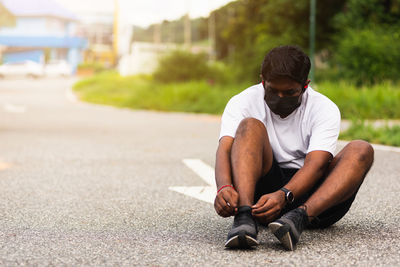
column 206, row 172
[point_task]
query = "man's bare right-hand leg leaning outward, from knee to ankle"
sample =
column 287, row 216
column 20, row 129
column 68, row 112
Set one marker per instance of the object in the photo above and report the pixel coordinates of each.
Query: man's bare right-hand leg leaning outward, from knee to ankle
column 345, row 175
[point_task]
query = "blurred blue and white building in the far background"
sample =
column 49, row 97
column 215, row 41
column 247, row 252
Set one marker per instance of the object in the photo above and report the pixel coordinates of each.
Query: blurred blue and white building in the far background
column 43, row 30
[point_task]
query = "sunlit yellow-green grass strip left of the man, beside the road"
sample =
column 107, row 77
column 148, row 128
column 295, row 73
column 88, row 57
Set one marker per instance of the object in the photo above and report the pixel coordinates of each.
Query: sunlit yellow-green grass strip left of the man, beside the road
column 142, row 92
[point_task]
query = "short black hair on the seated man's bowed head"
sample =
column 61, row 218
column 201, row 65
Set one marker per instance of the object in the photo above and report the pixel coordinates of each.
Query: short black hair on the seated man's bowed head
column 286, row 61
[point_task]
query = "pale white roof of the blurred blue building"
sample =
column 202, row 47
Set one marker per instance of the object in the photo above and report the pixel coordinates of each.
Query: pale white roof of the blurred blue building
column 35, row 8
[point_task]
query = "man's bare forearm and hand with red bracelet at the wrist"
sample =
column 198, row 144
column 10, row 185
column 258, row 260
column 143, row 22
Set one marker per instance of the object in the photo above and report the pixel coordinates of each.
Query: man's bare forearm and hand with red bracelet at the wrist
column 227, row 199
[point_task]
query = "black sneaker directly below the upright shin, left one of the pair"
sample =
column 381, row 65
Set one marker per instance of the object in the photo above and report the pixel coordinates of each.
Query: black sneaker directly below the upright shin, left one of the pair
column 244, row 230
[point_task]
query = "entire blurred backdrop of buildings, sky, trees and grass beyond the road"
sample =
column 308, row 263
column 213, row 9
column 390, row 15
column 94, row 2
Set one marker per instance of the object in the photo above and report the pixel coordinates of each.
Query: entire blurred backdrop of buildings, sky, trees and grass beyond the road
column 193, row 55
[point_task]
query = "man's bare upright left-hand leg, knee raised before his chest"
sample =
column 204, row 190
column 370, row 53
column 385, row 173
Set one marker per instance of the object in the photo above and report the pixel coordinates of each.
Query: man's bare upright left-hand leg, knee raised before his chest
column 251, row 157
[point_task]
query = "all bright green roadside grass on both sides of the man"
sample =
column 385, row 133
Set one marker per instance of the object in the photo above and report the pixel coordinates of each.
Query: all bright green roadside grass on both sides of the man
column 142, row 92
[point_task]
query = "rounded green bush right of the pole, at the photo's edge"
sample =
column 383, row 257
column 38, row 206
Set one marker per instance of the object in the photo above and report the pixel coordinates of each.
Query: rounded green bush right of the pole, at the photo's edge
column 369, row 55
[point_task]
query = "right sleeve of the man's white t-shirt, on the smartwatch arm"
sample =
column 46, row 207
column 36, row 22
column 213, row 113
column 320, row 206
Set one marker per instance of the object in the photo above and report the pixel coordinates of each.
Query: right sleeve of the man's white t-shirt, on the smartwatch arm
column 325, row 130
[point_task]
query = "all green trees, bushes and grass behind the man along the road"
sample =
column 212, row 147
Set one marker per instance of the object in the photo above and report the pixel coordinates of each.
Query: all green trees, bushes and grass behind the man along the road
column 358, row 52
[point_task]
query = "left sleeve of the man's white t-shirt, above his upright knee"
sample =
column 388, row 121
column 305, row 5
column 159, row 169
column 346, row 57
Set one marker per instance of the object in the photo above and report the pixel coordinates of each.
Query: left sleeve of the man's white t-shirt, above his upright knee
column 231, row 118
